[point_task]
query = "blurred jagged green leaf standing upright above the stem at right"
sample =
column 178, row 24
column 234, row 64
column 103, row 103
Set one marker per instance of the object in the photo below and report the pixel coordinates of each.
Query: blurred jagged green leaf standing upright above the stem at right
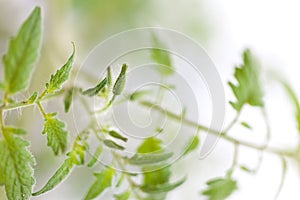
column 248, row 90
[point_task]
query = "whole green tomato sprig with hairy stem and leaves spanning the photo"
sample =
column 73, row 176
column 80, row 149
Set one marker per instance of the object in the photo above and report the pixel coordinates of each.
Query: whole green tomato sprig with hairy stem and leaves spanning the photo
column 155, row 180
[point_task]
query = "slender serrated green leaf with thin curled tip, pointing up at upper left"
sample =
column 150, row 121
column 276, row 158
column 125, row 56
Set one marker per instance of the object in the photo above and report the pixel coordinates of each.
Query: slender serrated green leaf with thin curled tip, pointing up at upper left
column 61, row 75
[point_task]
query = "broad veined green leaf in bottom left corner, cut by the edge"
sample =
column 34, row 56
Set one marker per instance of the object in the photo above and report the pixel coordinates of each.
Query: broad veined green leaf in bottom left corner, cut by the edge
column 16, row 171
